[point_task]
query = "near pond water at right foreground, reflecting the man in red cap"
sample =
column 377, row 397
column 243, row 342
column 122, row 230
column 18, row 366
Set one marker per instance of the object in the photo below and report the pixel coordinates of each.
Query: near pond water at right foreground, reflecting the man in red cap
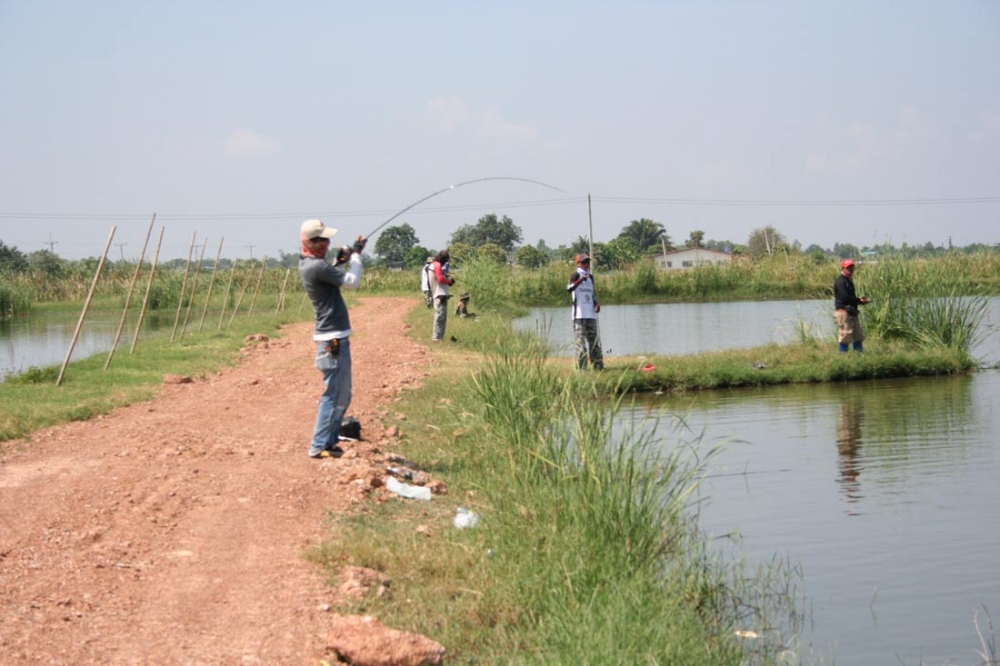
column 883, row 491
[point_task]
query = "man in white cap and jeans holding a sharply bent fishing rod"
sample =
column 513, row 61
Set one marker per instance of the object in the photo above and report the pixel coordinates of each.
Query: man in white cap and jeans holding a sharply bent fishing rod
column 323, row 282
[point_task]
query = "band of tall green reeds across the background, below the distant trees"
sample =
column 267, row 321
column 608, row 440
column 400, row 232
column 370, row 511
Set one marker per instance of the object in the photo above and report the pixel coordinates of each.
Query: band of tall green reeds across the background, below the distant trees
column 787, row 276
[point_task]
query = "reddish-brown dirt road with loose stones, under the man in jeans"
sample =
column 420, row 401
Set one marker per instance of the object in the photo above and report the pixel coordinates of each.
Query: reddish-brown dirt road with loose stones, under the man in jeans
column 172, row 531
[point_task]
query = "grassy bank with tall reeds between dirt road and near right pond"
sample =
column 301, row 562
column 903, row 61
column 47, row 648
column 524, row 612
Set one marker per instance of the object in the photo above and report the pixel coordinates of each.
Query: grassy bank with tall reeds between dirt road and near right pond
column 586, row 551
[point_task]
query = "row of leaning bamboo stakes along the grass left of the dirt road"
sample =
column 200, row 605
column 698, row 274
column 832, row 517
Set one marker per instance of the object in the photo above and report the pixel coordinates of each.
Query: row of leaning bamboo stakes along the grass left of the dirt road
column 180, row 303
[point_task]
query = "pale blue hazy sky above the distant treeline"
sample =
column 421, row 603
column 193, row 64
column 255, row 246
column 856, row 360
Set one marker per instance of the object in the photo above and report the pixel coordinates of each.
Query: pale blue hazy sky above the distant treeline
column 852, row 122
